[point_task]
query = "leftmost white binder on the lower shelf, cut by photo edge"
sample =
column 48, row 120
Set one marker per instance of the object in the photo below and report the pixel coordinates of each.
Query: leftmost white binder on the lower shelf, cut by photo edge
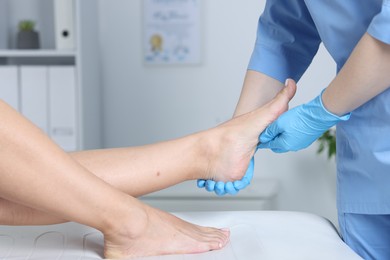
column 9, row 85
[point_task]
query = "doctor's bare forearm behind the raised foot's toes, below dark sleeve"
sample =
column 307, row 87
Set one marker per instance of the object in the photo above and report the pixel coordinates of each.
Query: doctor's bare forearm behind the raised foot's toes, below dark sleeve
column 257, row 90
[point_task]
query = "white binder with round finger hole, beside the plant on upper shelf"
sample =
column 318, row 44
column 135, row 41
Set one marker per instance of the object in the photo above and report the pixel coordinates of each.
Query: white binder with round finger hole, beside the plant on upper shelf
column 64, row 24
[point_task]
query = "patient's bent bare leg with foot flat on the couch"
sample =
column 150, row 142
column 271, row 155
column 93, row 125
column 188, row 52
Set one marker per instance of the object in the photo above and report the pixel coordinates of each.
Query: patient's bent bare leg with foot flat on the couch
column 36, row 173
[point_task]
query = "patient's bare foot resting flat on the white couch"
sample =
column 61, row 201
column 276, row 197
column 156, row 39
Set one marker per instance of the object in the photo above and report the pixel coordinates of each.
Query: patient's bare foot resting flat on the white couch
column 151, row 232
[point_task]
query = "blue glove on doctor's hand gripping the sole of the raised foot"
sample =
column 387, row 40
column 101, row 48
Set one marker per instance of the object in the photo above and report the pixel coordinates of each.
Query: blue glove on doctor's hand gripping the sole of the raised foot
column 299, row 127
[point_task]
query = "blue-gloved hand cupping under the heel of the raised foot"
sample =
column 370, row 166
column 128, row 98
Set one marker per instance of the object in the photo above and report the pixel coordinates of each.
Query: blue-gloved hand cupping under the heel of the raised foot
column 220, row 188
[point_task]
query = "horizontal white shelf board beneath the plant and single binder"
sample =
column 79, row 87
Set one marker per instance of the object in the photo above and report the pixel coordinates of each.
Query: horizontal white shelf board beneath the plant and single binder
column 36, row 53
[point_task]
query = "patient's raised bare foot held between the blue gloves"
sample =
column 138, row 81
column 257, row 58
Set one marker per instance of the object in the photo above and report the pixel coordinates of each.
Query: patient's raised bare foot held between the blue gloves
column 235, row 141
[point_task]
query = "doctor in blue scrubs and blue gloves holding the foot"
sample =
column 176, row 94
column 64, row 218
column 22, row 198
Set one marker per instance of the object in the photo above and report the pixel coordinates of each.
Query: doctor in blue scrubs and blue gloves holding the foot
column 357, row 35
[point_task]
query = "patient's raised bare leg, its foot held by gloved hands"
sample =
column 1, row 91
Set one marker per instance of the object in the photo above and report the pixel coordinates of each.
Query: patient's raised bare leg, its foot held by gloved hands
column 224, row 150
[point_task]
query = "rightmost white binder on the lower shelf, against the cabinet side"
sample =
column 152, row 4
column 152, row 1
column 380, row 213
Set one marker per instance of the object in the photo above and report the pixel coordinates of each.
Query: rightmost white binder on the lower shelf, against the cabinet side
column 62, row 104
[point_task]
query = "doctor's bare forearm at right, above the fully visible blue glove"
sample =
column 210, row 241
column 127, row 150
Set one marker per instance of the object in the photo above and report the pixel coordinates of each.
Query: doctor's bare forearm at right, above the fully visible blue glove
column 365, row 75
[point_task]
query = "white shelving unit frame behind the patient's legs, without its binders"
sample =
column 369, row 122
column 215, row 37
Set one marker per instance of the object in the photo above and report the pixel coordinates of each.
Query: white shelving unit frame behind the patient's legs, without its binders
column 84, row 57
